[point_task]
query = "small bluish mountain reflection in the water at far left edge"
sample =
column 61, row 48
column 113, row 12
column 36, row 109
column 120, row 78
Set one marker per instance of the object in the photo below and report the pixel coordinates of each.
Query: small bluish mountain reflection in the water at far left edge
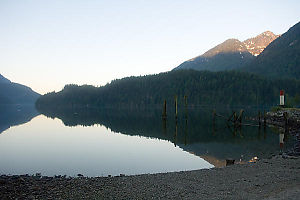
column 13, row 115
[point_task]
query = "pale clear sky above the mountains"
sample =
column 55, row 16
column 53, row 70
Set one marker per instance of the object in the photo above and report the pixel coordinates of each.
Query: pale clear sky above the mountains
column 46, row 44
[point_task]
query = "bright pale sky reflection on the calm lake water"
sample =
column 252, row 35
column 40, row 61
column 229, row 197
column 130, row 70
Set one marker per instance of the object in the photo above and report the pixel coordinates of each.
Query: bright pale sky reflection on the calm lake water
column 48, row 147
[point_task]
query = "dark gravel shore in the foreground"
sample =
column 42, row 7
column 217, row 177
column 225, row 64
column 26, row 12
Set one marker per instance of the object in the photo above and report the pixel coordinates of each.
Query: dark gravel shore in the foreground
column 274, row 178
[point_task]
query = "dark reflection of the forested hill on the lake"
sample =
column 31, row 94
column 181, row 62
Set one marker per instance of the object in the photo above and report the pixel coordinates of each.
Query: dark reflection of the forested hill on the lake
column 194, row 134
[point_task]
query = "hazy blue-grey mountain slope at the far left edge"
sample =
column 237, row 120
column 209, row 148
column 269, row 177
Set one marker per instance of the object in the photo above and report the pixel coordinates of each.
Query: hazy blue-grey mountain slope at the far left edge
column 14, row 93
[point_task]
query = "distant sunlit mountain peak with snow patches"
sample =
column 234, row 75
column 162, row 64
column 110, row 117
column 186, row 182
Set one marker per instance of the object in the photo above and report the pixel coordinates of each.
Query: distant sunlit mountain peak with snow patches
column 231, row 54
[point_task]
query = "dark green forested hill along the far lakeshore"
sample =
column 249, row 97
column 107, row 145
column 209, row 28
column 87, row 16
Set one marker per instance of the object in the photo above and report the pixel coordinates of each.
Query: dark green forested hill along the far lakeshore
column 201, row 88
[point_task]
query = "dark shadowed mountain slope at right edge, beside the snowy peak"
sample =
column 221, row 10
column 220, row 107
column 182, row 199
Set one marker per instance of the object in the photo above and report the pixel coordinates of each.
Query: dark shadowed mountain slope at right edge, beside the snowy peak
column 281, row 59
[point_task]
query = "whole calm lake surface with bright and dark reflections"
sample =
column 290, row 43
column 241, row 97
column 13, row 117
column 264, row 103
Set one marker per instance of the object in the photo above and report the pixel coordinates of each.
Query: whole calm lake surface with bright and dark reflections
column 101, row 142
